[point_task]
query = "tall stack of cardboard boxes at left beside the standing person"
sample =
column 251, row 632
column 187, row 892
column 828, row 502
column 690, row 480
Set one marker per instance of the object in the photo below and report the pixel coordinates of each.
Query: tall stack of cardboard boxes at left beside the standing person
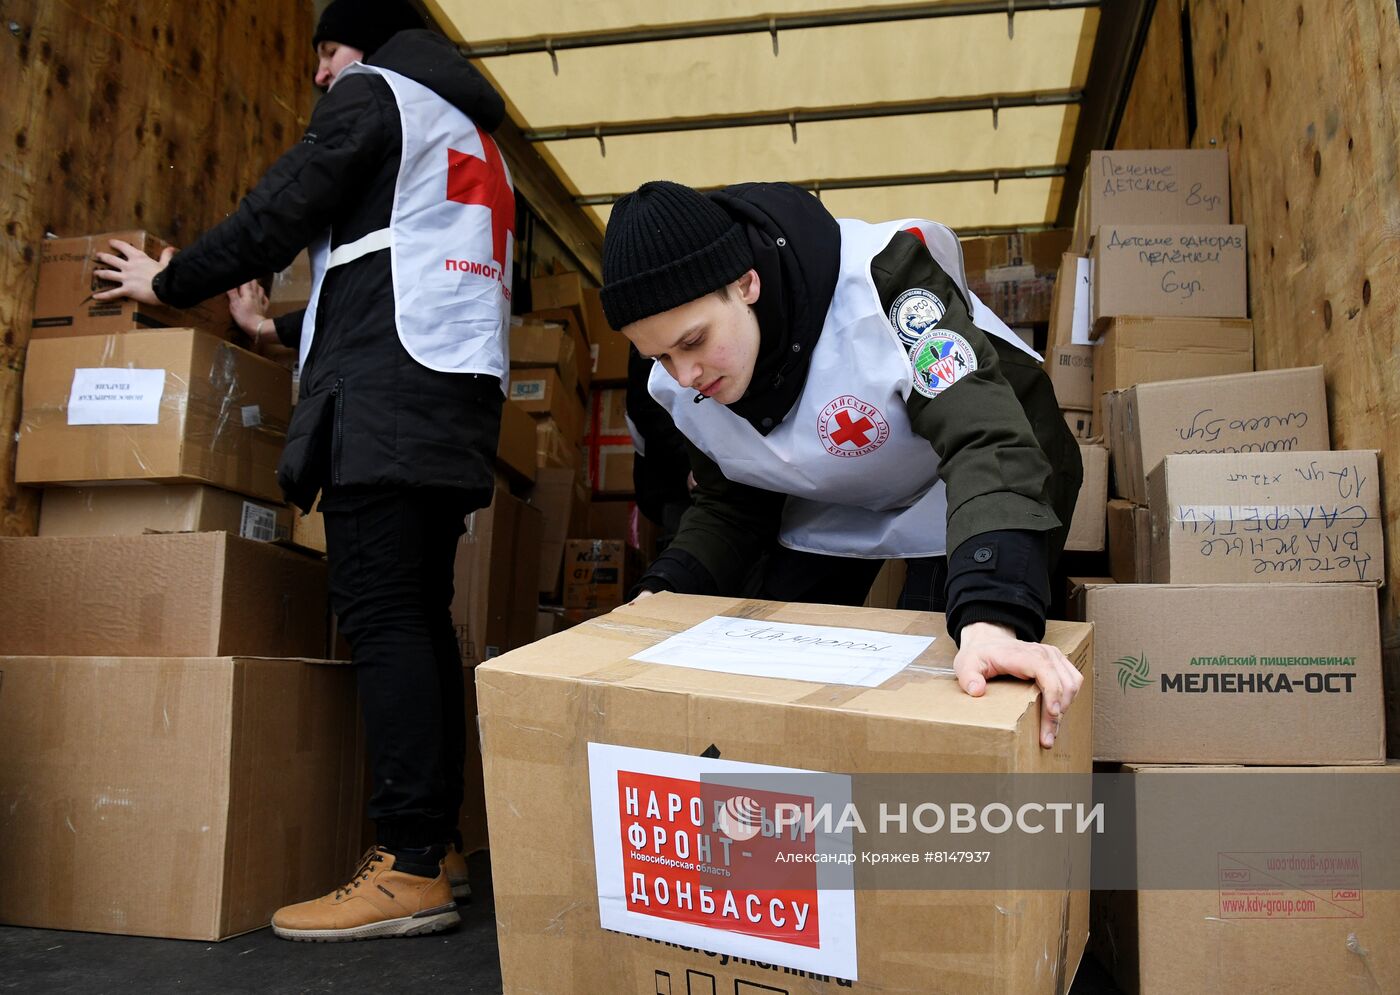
column 164, row 688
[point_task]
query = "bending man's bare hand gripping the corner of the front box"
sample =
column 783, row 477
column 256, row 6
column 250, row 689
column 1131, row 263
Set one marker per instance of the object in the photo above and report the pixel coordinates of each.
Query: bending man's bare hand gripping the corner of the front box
column 990, row 651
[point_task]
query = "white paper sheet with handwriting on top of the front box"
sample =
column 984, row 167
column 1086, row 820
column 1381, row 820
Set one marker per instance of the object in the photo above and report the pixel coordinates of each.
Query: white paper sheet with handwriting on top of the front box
column 787, row 651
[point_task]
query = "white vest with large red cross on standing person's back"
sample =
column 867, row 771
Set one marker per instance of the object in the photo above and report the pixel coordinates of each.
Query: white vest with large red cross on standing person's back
column 451, row 295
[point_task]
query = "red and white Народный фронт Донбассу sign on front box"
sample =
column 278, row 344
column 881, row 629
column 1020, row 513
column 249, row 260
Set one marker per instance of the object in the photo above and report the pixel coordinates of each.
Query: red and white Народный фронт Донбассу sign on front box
column 688, row 850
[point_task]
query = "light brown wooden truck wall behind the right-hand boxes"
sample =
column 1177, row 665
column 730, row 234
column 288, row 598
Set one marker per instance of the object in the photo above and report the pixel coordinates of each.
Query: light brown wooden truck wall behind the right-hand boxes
column 1305, row 99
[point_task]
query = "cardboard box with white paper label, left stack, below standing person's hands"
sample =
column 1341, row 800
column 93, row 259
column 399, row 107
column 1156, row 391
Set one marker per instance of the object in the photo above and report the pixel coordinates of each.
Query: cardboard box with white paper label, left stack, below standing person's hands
column 180, row 407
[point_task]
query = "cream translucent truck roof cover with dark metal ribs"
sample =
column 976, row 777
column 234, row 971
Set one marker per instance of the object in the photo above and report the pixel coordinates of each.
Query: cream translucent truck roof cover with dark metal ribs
column 964, row 113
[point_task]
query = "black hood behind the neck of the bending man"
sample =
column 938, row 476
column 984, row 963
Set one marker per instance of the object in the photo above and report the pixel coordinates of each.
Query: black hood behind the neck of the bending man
column 797, row 253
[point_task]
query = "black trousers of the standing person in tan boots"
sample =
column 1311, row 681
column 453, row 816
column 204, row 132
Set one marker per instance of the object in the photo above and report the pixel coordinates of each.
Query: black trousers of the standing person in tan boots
column 391, row 555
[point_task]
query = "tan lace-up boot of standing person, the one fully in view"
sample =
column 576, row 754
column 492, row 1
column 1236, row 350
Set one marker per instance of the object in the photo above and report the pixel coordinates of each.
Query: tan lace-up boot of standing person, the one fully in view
column 377, row 903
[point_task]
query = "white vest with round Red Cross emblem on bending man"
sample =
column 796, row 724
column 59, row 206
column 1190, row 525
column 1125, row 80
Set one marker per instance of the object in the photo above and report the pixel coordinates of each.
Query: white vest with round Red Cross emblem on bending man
column 862, row 482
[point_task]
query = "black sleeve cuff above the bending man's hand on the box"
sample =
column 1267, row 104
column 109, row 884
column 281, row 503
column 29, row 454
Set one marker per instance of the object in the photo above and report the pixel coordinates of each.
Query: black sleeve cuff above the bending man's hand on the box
column 1000, row 577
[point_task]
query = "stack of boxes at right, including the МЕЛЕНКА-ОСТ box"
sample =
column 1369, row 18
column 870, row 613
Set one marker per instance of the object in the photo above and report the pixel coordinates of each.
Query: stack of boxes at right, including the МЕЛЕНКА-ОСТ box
column 1242, row 628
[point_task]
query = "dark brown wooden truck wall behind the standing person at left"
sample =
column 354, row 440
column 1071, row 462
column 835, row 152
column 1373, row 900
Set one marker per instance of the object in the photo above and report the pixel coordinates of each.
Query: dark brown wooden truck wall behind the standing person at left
column 152, row 114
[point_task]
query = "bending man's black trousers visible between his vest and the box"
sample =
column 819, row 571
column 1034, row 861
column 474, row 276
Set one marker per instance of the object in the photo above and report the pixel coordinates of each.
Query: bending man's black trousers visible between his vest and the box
column 815, row 579
